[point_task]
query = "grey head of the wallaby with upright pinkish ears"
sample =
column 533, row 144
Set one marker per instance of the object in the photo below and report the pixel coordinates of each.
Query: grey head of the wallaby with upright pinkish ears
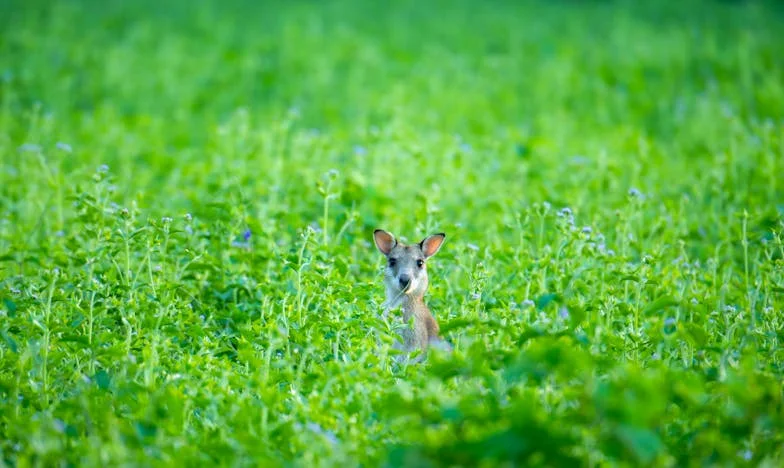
column 406, row 271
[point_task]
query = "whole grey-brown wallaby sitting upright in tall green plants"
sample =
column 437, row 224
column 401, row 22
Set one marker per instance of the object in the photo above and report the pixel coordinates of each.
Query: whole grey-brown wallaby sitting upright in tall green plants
column 406, row 282
